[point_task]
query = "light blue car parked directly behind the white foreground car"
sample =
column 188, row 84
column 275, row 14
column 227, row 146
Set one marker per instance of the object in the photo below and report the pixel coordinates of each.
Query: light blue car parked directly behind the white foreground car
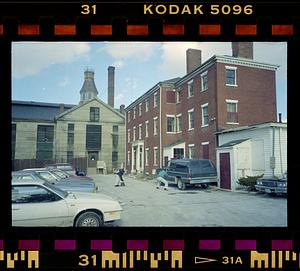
column 67, row 185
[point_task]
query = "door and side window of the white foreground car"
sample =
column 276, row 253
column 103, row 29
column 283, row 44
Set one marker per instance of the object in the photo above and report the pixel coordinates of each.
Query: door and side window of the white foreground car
column 35, row 206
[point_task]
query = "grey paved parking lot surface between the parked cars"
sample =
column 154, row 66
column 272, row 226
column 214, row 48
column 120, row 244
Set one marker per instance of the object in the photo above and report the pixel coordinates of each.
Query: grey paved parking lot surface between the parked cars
column 144, row 205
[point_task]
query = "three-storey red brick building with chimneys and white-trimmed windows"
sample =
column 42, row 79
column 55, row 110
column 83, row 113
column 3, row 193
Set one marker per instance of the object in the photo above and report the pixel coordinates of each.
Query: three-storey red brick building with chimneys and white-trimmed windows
column 180, row 117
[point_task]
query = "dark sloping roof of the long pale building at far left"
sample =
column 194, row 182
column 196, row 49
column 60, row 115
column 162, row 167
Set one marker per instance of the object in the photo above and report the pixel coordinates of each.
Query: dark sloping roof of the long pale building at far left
column 29, row 110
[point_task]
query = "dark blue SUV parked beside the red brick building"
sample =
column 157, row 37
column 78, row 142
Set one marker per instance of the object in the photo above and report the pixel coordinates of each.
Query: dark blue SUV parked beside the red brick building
column 184, row 172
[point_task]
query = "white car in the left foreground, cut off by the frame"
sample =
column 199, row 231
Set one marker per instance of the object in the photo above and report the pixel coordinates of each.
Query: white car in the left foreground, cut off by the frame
column 37, row 203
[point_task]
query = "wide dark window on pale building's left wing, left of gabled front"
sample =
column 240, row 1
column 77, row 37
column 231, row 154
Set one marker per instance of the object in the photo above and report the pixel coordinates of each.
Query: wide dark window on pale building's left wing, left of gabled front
column 45, row 137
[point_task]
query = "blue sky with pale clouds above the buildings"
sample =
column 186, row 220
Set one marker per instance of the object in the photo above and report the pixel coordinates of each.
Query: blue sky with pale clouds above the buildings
column 53, row 72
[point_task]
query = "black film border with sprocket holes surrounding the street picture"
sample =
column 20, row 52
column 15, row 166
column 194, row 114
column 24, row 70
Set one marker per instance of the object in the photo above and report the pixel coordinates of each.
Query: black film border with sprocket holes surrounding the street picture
column 61, row 248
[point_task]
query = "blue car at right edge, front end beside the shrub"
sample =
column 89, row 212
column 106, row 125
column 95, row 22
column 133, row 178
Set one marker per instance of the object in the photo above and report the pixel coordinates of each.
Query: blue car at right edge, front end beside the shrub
column 272, row 185
